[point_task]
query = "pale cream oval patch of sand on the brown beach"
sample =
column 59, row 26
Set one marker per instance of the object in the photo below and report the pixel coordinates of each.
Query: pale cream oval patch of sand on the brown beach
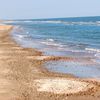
column 62, row 86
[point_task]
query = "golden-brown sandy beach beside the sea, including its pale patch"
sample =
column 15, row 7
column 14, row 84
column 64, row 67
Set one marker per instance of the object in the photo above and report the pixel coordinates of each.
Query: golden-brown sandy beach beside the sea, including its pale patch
column 23, row 77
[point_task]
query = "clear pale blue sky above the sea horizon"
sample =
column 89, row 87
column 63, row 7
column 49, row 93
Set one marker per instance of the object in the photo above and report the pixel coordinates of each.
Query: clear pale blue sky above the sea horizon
column 34, row 9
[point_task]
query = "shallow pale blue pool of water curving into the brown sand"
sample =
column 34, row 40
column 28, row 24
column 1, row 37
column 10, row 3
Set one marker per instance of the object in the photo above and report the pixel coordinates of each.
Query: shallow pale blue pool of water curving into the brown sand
column 75, row 68
